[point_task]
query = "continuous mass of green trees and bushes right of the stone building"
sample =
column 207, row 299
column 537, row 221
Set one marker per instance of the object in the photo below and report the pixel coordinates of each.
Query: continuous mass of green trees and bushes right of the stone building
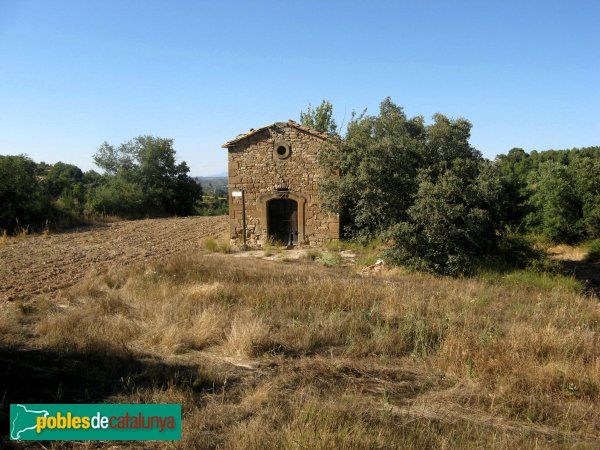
column 444, row 207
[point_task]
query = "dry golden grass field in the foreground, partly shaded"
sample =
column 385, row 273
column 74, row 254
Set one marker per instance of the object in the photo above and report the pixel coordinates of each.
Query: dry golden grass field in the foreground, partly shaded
column 297, row 354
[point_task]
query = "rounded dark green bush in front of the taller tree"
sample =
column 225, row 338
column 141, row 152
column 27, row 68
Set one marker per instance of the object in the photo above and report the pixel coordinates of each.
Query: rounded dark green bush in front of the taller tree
column 452, row 220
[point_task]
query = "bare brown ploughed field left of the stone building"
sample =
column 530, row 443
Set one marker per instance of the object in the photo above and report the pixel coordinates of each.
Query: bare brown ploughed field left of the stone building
column 38, row 264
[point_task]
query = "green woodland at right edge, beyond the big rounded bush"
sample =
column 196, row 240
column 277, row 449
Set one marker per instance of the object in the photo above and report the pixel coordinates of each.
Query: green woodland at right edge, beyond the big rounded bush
column 555, row 194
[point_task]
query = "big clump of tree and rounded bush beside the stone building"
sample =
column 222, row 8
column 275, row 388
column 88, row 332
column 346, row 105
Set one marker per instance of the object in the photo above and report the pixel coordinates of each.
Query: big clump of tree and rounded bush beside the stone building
column 422, row 186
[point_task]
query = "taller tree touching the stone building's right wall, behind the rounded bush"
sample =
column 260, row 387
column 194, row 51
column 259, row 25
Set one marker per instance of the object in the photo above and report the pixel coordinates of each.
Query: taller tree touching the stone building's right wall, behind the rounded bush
column 380, row 158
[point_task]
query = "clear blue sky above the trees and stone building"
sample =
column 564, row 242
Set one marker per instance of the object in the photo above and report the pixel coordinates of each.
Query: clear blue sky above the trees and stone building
column 76, row 73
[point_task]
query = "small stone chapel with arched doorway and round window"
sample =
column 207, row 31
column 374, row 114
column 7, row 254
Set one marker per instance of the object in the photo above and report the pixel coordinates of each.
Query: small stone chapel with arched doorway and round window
column 276, row 168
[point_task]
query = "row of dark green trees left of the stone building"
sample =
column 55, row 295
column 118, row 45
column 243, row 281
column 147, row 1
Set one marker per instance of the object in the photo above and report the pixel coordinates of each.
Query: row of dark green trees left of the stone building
column 140, row 178
